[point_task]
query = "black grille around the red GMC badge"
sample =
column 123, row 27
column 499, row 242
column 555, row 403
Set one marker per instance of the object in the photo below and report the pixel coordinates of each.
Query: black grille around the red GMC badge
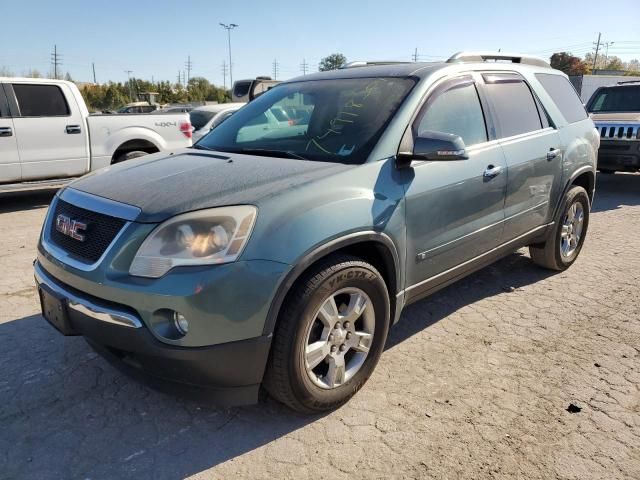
column 100, row 232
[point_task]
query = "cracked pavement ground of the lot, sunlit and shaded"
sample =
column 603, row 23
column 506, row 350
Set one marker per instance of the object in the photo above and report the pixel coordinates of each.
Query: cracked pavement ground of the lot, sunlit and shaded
column 475, row 381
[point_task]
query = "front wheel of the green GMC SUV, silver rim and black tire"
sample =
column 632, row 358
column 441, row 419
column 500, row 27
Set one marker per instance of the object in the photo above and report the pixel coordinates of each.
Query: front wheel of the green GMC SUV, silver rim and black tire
column 330, row 335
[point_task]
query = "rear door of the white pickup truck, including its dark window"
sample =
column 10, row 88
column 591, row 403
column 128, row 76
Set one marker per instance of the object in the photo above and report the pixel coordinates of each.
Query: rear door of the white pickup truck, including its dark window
column 49, row 130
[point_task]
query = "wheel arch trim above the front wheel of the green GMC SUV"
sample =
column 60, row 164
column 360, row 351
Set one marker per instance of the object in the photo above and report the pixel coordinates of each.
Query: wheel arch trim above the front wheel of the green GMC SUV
column 375, row 248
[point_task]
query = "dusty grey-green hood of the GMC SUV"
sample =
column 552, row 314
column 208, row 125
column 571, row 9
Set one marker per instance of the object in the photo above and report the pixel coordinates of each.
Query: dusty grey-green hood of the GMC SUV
column 167, row 184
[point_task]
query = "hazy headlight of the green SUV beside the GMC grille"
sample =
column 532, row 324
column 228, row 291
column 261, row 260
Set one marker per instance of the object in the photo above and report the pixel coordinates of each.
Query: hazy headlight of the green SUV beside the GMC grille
column 205, row 237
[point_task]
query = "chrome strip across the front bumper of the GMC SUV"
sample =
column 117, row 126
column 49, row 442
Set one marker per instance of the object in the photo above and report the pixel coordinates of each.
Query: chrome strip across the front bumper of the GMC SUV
column 87, row 307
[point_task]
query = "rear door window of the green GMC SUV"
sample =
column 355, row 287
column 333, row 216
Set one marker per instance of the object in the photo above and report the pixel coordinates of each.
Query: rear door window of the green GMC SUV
column 514, row 107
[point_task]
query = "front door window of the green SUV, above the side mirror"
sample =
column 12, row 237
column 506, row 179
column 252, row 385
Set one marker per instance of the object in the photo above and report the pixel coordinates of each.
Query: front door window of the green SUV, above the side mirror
column 457, row 111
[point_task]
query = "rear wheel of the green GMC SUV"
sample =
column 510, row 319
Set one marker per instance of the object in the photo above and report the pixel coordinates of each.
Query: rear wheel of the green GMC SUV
column 569, row 231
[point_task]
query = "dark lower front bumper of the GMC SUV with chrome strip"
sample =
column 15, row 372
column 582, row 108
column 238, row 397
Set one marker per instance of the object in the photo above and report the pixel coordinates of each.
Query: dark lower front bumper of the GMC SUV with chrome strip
column 228, row 373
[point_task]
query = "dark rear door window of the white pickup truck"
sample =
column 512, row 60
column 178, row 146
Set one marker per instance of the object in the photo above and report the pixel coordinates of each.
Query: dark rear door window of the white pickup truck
column 41, row 100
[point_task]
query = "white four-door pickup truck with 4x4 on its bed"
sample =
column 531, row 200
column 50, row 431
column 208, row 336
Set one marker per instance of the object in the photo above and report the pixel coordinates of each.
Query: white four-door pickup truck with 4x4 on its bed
column 48, row 137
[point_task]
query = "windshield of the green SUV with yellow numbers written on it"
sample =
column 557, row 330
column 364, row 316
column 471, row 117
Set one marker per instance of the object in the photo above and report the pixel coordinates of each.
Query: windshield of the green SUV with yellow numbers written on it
column 337, row 120
